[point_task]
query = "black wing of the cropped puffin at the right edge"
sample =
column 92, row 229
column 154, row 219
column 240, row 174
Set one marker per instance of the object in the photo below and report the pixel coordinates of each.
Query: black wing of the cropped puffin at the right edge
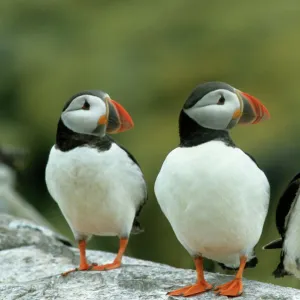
column 286, row 204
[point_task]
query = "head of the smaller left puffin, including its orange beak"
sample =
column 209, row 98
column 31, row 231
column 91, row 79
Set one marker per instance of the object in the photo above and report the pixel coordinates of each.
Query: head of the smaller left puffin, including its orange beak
column 95, row 113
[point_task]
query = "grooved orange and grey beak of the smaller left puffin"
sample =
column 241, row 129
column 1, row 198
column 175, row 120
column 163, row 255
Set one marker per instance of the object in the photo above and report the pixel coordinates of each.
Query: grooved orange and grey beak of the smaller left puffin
column 117, row 119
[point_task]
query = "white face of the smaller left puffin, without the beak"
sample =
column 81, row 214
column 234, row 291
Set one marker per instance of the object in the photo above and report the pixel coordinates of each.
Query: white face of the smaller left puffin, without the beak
column 83, row 114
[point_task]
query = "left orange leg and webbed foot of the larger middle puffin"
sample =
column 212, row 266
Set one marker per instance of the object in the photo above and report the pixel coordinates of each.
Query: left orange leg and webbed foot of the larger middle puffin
column 199, row 287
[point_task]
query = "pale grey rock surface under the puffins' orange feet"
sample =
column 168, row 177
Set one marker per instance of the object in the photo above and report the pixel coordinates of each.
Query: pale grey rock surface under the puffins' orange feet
column 31, row 261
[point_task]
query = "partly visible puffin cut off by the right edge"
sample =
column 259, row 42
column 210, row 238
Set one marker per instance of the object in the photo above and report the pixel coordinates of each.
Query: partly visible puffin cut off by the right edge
column 288, row 226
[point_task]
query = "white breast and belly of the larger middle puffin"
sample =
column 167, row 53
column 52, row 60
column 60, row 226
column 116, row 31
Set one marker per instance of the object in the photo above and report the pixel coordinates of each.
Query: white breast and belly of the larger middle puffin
column 215, row 198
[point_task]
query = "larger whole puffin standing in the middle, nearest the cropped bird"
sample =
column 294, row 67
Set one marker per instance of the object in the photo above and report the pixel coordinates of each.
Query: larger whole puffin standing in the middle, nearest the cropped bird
column 213, row 194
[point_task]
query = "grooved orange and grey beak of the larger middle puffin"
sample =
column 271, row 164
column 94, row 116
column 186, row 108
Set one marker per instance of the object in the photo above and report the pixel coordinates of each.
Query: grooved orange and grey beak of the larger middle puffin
column 251, row 111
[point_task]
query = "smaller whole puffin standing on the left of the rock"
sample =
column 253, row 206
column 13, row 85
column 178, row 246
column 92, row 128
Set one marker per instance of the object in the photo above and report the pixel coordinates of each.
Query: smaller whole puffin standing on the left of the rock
column 97, row 184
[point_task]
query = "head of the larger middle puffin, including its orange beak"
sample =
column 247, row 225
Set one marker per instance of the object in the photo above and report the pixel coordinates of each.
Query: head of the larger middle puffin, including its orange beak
column 219, row 106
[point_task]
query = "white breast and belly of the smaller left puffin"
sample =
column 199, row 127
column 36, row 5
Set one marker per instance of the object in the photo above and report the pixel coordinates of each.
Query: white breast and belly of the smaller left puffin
column 97, row 191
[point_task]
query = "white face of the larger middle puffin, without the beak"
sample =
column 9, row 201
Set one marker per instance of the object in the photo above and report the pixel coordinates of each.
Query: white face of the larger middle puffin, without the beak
column 215, row 110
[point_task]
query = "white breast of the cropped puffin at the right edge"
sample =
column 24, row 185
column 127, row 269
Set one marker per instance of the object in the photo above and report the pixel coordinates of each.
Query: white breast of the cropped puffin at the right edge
column 291, row 245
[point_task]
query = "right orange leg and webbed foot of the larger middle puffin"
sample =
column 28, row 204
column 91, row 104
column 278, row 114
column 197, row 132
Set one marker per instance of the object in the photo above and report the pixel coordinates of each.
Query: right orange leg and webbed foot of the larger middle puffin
column 233, row 288
